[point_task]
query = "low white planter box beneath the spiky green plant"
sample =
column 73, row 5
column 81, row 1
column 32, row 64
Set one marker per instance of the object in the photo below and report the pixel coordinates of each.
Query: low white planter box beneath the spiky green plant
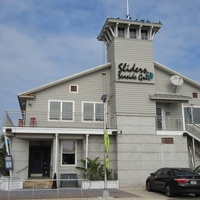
column 99, row 184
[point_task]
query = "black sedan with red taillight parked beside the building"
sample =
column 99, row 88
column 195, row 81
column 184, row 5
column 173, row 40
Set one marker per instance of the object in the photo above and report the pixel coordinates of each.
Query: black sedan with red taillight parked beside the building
column 174, row 181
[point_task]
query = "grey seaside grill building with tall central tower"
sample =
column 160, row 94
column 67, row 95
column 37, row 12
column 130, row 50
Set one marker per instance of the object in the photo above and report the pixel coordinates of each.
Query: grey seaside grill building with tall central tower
column 150, row 111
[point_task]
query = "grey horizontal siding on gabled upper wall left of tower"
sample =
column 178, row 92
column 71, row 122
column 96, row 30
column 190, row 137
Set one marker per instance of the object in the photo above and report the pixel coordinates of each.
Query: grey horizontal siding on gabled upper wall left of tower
column 90, row 89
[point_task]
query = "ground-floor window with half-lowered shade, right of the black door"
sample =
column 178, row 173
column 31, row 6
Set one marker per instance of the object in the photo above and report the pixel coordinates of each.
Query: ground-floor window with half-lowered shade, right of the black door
column 68, row 152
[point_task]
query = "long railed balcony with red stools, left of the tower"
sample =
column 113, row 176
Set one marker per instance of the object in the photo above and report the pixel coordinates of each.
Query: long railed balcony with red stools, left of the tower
column 65, row 120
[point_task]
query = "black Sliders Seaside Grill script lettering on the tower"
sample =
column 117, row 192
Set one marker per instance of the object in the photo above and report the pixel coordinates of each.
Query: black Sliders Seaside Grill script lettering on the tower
column 125, row 71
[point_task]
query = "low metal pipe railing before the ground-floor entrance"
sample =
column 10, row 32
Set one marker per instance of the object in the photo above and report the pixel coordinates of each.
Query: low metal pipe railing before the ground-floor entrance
column 13, row 189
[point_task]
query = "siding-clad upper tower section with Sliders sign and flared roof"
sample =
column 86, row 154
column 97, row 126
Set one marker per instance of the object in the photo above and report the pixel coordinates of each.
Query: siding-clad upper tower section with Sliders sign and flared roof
column 129, row 49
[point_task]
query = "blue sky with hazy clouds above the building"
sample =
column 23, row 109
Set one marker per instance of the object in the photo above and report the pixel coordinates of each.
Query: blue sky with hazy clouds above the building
column 45, row 40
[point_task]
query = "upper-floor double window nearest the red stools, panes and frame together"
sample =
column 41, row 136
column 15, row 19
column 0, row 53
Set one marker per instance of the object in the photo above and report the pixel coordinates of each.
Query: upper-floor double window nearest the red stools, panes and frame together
column 61, row 110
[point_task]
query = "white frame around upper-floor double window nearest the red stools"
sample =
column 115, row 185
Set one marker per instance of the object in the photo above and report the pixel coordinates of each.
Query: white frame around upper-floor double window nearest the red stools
column 60, row 119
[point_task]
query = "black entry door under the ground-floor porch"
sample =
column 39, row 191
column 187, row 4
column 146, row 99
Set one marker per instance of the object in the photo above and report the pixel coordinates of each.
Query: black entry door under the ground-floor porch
column 39, row 161
